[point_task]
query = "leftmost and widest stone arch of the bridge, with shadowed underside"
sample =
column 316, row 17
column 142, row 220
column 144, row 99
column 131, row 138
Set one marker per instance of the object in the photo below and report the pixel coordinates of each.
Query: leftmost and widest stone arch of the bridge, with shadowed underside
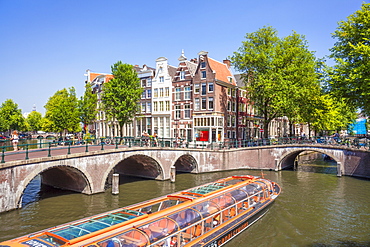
column 59, row 176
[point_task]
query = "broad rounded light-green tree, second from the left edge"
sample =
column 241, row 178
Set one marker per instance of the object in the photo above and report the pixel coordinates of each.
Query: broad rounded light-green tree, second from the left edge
column 62, row 114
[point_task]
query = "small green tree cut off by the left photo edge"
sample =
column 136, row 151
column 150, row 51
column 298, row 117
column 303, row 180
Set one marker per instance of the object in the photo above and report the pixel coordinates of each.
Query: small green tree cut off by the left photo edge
column 11, row 117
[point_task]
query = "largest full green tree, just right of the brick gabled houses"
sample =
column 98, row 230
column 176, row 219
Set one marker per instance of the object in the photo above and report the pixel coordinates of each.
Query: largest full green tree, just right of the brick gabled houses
column 279, row 74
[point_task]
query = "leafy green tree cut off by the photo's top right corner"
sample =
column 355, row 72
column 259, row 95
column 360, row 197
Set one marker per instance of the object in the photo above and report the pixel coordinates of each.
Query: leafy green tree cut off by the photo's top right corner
column 350, row 77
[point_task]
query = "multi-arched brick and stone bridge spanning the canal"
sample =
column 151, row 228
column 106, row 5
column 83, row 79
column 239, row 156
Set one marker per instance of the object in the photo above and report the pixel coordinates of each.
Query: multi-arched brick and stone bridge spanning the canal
column 90, row 172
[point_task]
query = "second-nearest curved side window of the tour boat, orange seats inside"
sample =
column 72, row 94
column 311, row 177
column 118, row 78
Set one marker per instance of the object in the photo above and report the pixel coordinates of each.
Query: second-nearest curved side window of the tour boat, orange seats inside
column 159, row 229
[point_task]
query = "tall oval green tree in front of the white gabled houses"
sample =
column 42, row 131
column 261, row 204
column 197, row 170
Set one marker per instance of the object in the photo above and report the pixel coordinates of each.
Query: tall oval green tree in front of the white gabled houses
column 121, row 95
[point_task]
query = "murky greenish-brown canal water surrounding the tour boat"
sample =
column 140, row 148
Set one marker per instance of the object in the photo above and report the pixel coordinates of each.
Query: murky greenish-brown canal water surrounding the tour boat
column 315, row 208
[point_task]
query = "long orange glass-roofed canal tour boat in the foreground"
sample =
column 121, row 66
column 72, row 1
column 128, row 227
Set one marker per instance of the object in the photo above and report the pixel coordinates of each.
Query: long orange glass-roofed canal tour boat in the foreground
column 209, row 215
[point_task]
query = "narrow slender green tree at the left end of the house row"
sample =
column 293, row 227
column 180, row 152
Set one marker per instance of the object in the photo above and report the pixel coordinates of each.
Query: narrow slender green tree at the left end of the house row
column 88, row 106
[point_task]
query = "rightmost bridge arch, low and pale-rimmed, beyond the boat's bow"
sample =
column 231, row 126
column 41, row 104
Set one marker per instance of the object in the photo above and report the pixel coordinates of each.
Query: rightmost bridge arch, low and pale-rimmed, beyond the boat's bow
column 288, row 159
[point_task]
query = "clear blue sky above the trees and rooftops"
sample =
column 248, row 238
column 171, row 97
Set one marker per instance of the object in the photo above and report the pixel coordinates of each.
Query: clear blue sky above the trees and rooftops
column 46, row 46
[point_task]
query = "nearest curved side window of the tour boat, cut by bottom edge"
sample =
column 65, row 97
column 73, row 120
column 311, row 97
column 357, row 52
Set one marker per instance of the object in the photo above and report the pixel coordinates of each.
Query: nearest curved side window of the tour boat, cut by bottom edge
column 127, row 239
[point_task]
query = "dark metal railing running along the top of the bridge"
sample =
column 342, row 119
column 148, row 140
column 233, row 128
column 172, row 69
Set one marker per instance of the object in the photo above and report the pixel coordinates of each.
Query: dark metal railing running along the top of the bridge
column 48, row 147
